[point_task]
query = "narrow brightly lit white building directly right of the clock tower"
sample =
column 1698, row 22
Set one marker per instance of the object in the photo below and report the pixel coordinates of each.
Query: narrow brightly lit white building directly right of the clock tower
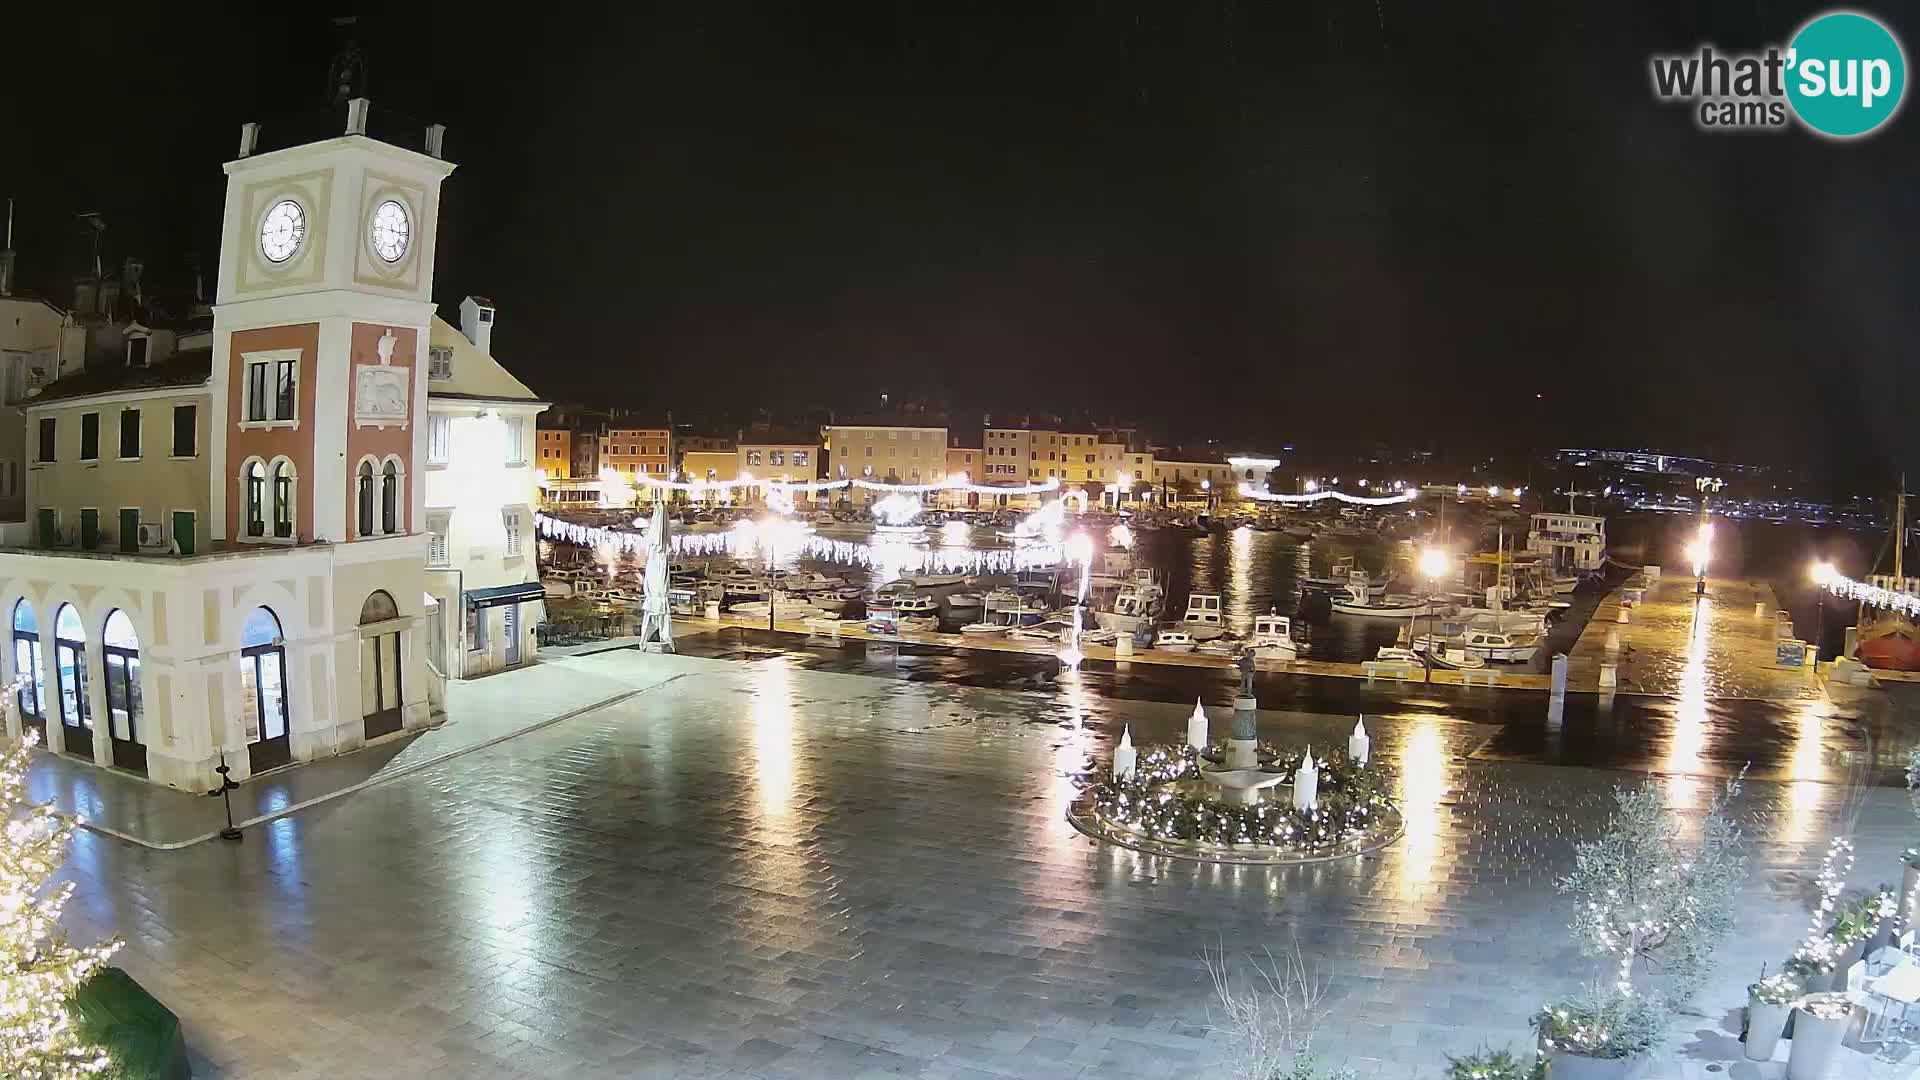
column 481, row 491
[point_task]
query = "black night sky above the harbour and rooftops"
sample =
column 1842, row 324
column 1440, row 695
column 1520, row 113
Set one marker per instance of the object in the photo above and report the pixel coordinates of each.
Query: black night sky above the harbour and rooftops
column 1318, row 222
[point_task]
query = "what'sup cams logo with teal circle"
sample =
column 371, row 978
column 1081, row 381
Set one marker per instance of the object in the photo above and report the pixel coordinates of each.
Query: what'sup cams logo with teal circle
column 1842, row 78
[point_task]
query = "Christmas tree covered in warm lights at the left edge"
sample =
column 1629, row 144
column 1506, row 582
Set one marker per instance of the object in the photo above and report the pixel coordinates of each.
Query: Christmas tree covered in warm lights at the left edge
column 39, row 970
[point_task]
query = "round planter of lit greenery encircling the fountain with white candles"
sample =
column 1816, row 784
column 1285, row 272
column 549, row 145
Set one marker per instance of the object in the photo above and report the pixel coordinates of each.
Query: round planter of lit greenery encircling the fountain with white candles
column 1176, row 804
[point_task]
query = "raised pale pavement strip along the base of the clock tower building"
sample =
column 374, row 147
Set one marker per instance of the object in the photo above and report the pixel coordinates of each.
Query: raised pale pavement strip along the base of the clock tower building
column 481, row 712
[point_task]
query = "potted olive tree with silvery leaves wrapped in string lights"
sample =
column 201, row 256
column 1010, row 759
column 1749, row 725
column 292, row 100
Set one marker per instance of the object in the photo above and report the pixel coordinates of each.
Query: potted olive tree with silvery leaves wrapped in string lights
column 1654, row 904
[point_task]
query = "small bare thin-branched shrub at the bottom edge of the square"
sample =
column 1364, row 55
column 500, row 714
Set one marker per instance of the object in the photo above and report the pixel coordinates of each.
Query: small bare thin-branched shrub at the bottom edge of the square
column 1270, row 1016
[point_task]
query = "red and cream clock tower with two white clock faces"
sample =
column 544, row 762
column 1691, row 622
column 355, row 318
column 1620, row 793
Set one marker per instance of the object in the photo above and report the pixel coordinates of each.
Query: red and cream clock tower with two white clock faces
column 320, row 337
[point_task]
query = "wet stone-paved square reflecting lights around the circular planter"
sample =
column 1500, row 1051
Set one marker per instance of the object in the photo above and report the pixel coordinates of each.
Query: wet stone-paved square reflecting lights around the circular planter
column 759, row 871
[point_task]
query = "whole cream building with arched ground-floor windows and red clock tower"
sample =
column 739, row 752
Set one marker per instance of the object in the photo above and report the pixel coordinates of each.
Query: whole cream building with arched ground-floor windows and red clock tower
column 239, row 570
